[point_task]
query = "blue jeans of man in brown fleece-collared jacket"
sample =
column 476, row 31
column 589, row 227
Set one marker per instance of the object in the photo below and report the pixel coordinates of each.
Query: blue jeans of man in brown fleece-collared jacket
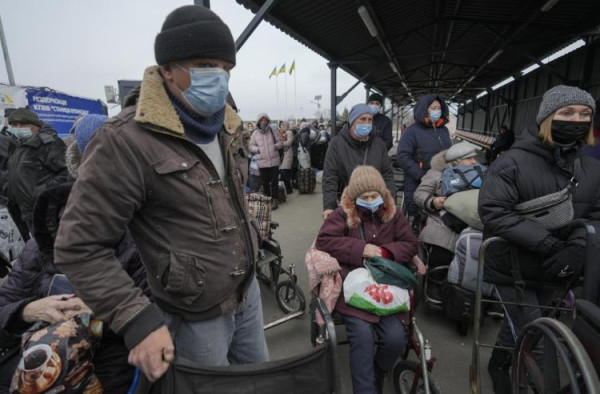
column 236, row 337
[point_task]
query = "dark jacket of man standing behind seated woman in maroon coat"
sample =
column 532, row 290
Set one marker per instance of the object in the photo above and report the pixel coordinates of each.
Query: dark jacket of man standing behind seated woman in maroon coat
column 344, row 155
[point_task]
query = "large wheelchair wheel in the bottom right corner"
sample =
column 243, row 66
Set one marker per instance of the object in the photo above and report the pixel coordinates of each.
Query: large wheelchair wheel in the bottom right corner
column 561, row 364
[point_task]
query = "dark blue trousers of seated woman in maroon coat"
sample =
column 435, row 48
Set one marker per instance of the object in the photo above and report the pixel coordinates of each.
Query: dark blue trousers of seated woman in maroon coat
column 364, row 360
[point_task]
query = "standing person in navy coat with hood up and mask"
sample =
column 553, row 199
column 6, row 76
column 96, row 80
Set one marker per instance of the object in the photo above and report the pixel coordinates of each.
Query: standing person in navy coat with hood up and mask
column 420, row 142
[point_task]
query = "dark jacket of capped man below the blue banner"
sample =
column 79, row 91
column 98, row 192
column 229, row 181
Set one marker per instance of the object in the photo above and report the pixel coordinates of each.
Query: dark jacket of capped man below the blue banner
column 35, row 165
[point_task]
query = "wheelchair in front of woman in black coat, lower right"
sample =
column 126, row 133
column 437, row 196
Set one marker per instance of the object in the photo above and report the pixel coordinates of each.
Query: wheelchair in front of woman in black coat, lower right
column 566, row 366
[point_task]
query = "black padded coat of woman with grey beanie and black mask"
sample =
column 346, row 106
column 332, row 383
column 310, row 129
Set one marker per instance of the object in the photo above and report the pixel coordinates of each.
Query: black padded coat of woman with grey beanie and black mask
column 530, row 169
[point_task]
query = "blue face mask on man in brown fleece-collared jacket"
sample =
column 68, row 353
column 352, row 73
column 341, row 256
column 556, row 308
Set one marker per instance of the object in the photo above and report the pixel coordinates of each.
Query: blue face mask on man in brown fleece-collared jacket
column 208, row 89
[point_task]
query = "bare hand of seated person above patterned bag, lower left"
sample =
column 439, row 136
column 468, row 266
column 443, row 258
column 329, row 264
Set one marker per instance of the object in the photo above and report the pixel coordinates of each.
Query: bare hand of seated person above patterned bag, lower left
column 54, row 308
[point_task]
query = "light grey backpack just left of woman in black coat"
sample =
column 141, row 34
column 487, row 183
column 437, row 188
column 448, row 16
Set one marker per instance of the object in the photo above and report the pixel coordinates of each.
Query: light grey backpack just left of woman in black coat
column 463, row 268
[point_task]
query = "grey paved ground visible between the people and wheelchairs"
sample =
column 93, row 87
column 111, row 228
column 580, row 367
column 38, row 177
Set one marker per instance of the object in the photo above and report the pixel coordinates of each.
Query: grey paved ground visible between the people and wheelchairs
column 300, row 221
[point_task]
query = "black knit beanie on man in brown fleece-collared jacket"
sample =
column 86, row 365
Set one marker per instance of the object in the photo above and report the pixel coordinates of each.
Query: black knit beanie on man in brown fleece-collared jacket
column 193, row 31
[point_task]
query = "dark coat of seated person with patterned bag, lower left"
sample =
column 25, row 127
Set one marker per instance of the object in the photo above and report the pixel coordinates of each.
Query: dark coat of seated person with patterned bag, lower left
column 30, row 280
